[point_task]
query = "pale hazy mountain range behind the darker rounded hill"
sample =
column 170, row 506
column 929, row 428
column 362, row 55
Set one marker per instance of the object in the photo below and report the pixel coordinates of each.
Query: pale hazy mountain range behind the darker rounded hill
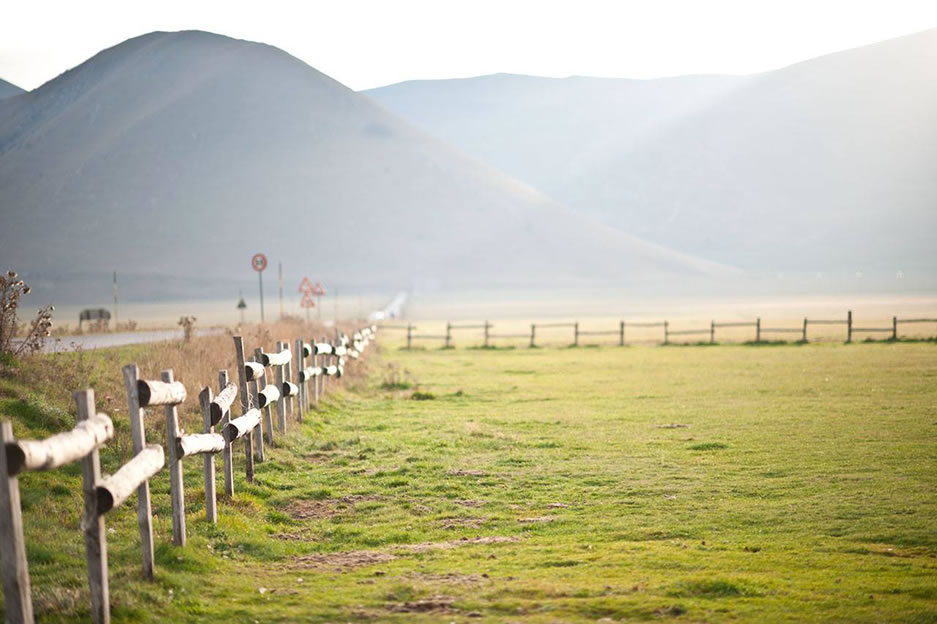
column 826, row 165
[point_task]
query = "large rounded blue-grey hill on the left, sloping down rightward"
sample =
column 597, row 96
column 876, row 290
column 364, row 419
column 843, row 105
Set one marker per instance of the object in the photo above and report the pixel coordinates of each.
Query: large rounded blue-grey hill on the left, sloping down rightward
column 185, row 153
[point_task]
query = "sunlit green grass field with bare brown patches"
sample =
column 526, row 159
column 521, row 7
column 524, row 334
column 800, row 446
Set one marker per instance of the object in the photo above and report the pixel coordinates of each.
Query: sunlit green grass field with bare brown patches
column 776, row 483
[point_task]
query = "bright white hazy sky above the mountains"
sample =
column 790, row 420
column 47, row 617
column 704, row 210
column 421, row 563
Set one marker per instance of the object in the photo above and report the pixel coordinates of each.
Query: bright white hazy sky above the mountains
column 367, row 43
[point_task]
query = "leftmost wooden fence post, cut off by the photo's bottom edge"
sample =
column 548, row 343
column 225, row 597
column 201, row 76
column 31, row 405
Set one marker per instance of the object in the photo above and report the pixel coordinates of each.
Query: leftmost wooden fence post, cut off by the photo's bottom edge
column 16, row 592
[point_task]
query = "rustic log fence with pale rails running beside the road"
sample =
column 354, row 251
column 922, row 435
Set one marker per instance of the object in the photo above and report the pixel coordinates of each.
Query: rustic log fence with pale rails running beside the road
column 289, row 392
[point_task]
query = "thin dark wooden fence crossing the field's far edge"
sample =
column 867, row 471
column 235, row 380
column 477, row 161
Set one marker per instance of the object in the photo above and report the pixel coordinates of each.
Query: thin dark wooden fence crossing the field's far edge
column 759, row 332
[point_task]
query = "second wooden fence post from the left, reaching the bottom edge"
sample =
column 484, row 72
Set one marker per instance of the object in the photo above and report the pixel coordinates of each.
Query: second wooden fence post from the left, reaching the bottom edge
column 92, row 523
